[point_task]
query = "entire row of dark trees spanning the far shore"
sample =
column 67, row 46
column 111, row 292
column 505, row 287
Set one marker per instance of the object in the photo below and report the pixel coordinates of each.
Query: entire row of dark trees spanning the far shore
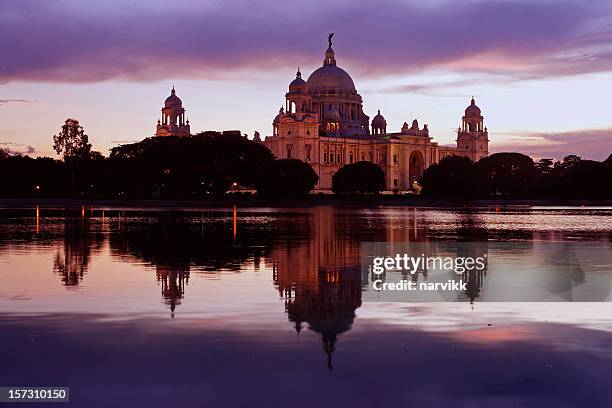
column 210, row 164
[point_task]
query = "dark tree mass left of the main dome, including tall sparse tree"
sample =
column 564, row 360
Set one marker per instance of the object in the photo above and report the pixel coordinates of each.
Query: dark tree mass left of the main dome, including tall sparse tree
column 208, row 164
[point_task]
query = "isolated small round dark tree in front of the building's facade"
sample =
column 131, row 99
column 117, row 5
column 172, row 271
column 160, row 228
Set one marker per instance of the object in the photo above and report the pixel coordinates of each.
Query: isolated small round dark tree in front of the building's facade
column 362, row 177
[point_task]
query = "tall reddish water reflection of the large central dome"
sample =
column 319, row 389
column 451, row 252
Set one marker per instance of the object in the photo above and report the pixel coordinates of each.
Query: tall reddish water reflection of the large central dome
column 319, row 278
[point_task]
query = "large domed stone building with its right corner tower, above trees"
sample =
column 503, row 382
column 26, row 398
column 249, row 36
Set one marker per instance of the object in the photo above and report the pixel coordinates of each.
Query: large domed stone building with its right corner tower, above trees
column 323, row 124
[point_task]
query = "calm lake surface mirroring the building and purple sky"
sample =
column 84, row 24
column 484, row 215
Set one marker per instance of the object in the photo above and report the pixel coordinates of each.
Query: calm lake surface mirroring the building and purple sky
column 269, row 307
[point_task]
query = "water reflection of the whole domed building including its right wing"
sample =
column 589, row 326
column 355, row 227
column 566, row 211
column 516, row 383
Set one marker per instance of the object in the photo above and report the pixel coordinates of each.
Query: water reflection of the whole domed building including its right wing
column 320, row 278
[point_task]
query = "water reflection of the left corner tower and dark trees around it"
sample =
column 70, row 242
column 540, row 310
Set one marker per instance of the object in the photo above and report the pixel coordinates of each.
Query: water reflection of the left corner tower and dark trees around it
column 179, row 243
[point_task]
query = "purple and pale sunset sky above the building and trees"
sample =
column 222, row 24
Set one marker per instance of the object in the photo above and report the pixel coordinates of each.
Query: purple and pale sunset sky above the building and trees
column 541, row 71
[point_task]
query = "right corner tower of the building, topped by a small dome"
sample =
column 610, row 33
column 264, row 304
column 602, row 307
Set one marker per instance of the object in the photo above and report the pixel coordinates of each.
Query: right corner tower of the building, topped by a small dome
column 473, row 136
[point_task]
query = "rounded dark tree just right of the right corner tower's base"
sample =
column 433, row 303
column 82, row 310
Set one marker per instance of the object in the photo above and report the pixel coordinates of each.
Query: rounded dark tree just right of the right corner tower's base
column 506, row 174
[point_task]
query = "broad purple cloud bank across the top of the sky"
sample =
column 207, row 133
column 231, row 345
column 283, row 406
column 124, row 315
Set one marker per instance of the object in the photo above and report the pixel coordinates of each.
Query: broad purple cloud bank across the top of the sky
column 75, row 41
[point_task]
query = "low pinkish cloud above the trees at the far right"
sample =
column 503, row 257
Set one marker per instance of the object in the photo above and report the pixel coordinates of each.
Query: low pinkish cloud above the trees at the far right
column 594, row 144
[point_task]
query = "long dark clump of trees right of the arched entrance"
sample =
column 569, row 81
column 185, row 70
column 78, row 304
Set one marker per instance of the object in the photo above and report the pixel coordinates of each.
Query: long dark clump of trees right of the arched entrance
column 517, row 176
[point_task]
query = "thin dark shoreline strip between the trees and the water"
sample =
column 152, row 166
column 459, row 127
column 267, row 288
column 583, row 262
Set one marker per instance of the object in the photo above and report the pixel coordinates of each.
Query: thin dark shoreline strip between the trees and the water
column 308, row 201
